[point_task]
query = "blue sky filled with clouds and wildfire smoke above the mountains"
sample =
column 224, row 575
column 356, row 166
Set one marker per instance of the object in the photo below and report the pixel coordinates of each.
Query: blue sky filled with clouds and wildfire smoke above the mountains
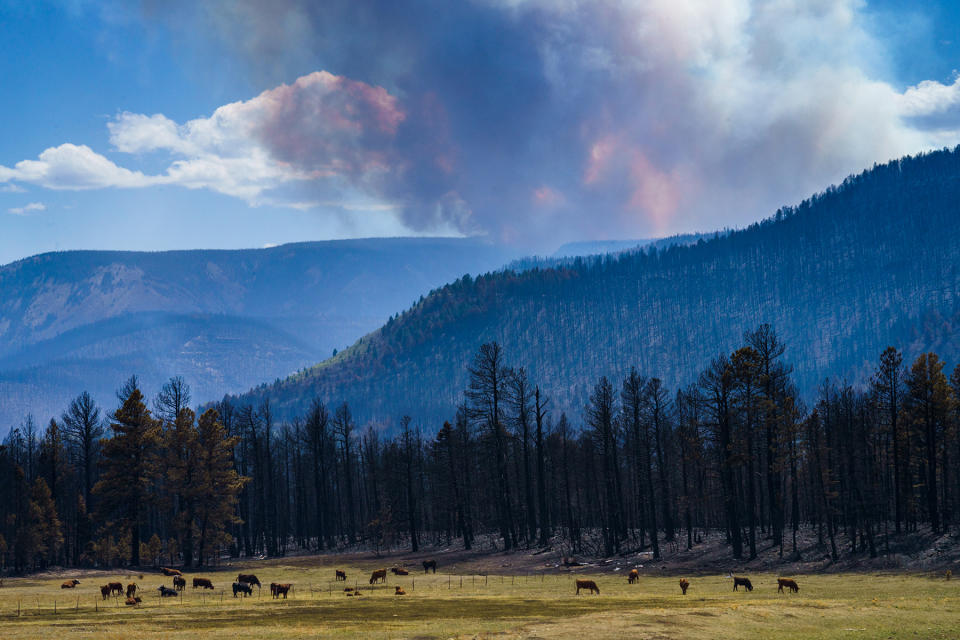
column 175, row 124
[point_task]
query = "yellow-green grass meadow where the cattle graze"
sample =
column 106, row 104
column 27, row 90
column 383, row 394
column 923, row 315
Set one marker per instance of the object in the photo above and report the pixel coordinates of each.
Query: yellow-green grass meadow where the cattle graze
column 861, row 606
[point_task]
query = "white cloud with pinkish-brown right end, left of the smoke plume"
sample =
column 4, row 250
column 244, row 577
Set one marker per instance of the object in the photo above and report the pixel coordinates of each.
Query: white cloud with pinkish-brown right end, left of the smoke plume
column 321, row 128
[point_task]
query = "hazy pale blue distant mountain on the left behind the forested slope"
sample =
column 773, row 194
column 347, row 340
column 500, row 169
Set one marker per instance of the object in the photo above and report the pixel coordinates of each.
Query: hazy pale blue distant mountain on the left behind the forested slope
column 225, row 320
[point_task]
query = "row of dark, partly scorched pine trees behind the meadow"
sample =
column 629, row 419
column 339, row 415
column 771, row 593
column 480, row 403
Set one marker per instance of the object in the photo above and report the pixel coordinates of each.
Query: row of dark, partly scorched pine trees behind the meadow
column 642, row 466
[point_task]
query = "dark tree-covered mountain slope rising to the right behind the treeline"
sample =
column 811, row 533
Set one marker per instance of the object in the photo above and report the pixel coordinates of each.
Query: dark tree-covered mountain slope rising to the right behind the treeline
column 872, row 262
